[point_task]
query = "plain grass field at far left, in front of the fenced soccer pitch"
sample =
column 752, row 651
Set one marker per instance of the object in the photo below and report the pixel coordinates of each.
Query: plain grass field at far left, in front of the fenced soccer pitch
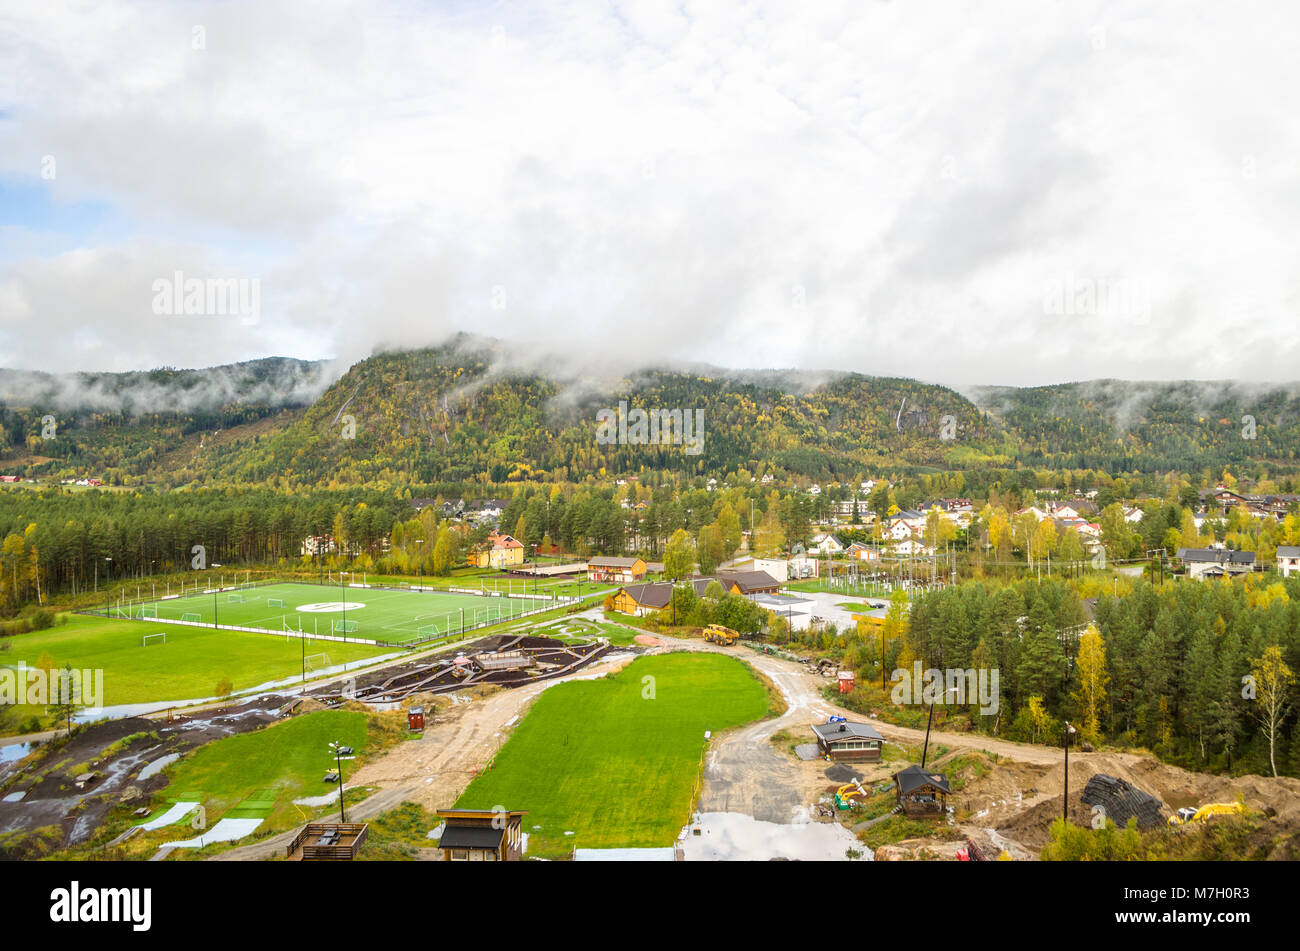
column 187, row 667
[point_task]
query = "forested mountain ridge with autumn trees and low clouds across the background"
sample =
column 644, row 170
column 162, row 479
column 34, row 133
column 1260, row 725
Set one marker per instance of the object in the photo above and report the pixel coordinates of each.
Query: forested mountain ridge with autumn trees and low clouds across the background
column 470, row 411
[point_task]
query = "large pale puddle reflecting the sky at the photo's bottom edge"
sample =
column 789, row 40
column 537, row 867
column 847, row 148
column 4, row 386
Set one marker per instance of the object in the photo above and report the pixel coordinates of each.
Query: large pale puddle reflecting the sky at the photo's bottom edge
column 734, row 837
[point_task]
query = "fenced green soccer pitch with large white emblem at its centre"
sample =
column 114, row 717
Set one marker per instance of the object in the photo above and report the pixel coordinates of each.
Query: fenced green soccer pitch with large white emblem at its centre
column 391, row 616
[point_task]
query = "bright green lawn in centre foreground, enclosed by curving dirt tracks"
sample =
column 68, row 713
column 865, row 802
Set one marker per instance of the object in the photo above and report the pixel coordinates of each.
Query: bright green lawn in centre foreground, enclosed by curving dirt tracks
column 616, row 761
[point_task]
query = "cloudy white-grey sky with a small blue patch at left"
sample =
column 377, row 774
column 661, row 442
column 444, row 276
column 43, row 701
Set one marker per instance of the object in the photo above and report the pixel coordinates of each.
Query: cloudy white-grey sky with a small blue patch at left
column 996, row 193
